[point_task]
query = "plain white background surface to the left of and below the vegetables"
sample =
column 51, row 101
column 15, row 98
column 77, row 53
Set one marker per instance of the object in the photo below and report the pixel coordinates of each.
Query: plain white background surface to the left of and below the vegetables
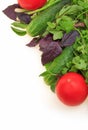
column 26, row 103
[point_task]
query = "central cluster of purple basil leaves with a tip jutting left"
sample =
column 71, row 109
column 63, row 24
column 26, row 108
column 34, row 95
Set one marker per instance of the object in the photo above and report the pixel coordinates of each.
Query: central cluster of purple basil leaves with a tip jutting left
column 50, row 48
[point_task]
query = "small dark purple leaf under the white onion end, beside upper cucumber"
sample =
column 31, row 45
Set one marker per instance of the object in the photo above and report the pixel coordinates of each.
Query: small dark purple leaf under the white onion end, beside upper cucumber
column 24, row 18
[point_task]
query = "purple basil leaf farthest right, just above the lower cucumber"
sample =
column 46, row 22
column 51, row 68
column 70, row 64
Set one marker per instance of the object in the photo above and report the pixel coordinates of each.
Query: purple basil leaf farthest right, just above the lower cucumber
column 69, row 39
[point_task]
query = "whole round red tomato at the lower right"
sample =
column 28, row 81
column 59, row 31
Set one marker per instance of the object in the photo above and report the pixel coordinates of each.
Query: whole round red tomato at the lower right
column 71, row 89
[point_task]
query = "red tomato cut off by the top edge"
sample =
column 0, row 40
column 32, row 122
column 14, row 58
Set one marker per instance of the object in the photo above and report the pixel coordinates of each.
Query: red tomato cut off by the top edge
column 31, row 4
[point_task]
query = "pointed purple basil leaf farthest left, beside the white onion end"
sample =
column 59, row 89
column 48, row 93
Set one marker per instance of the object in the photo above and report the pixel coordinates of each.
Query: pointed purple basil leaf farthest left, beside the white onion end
column 10, row 11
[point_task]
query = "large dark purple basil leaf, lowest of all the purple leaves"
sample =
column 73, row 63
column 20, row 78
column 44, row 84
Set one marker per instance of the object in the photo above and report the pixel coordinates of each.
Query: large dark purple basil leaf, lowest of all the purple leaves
column 52, row 51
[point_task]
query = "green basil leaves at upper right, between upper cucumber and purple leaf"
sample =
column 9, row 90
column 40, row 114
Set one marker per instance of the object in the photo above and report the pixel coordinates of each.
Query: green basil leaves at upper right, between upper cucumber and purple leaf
column 67, row 18
